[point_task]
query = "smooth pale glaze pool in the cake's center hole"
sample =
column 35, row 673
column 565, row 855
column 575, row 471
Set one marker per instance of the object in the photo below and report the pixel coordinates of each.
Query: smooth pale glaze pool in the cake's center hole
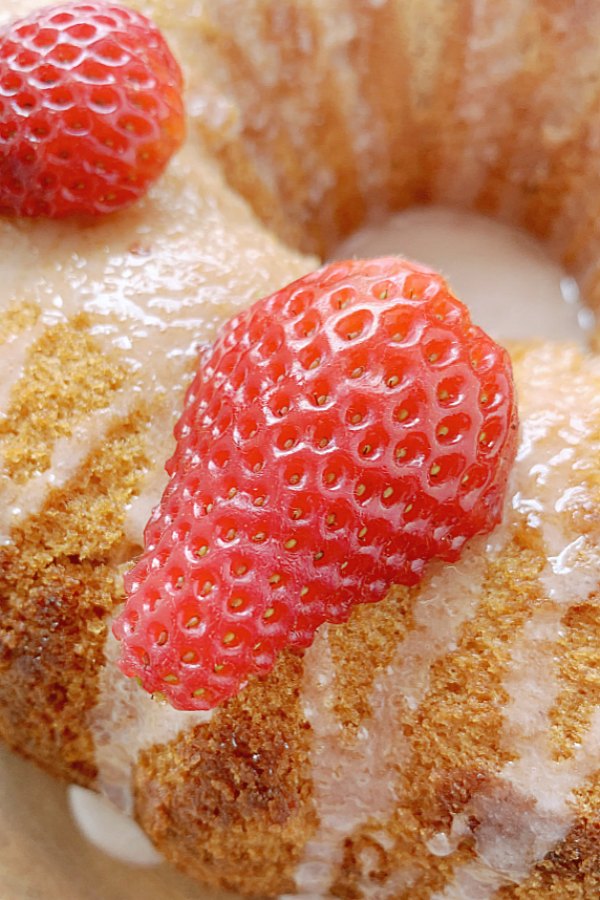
column 513, row 288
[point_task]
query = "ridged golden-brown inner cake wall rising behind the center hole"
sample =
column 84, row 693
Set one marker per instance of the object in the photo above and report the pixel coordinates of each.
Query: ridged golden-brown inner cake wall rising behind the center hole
column 403, row 103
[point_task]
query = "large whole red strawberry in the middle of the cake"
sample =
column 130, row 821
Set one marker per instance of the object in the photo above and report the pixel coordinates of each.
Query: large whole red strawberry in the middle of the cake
column 341, row 433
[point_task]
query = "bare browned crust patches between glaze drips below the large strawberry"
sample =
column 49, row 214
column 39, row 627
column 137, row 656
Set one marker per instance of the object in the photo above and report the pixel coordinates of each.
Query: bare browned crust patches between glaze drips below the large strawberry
column 238, row 785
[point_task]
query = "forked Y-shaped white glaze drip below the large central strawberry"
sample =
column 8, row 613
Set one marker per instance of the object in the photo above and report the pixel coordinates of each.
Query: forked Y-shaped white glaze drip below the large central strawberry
column 354, row 781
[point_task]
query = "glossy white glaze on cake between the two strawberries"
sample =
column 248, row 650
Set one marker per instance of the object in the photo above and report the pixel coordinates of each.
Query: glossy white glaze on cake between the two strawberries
column 156, row 283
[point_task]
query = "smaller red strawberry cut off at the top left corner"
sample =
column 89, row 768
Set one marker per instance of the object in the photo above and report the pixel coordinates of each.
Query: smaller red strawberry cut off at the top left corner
column 90, row 110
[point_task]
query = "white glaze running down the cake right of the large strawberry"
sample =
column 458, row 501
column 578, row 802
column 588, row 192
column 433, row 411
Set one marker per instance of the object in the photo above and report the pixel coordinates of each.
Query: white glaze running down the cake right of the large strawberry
column 558, row 410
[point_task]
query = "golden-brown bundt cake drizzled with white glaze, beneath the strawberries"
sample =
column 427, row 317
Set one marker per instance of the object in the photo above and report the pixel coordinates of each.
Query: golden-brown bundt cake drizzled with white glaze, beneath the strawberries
column 443, row 743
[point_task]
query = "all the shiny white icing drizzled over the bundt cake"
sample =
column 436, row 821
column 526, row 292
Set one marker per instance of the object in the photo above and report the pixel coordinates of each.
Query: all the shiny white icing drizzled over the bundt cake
column 155, row 283
